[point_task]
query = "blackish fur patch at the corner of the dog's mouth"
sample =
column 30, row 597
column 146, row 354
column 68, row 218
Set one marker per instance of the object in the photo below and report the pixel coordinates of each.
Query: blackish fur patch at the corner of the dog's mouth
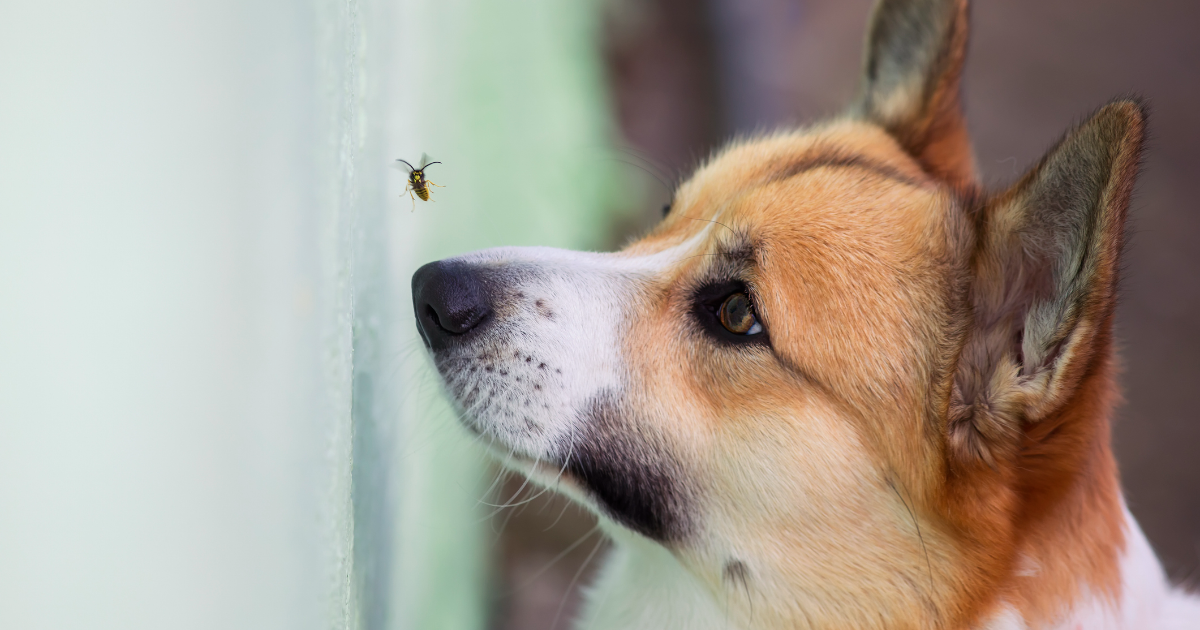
column 635, row 482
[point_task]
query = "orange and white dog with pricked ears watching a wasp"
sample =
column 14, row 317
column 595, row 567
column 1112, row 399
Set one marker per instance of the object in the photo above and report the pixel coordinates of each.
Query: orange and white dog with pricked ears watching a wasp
column 841, row 386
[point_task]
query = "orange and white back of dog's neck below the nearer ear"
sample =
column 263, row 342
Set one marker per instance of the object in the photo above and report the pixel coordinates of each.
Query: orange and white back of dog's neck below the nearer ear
column 1081, row 560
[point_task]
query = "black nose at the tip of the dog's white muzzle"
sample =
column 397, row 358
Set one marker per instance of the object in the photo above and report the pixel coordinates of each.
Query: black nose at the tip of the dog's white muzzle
column 451, row 301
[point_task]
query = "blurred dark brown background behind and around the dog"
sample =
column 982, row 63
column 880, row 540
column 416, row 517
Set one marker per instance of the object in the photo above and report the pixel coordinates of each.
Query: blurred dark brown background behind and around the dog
column 686, row 75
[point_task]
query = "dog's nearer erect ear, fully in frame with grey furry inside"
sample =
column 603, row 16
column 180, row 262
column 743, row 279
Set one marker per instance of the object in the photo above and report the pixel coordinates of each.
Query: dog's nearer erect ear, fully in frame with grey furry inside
column 1045, row 286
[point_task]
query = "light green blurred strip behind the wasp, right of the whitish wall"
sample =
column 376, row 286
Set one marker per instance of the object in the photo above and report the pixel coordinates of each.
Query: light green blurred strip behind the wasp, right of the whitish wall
column 511, row 98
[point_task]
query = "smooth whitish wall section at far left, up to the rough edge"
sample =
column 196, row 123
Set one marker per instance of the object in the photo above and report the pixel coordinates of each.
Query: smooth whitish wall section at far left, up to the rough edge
column 171, row 353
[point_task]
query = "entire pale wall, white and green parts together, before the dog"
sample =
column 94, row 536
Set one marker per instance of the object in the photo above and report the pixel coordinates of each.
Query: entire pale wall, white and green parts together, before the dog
column 214, row 409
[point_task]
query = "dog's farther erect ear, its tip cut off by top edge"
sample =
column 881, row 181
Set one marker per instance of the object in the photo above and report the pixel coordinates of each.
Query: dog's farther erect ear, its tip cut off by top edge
column 913, row 64
